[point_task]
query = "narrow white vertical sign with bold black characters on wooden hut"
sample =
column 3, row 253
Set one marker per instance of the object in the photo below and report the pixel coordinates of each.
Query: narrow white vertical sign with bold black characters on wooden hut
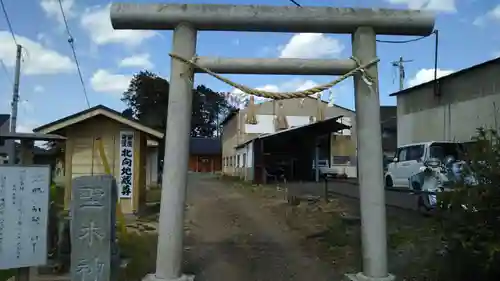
column 126, row 179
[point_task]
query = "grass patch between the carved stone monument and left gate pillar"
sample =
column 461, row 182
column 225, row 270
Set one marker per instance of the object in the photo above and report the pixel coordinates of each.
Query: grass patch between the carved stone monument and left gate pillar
column 140, row 249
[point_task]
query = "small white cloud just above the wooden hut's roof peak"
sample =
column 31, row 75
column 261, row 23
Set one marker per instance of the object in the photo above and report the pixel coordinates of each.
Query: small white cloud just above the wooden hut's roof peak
column 106, row 82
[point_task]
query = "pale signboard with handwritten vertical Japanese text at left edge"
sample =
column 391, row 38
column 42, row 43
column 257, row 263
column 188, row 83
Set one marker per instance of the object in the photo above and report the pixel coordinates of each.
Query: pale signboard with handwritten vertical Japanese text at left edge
column 24, row 207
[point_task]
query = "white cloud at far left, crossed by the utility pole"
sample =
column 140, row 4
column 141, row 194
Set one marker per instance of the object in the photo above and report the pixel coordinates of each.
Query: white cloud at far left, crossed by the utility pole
column 40, row 60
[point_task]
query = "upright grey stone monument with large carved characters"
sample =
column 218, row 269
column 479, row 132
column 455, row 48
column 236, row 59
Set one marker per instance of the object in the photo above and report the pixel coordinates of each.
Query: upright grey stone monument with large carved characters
column 93, row 247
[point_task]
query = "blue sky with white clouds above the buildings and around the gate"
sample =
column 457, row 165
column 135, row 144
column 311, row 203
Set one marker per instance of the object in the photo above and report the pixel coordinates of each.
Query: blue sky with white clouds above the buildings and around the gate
column 50, row 87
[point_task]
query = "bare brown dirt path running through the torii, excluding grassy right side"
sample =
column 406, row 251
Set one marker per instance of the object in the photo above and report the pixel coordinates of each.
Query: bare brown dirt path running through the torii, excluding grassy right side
column 233, row 236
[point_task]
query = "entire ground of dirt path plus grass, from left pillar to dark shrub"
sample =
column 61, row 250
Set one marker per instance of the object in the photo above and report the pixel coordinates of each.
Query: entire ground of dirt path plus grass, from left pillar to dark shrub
column 237, row 231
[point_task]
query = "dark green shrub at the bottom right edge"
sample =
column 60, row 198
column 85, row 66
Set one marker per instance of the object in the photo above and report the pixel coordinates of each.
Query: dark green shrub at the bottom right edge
column 468, row 219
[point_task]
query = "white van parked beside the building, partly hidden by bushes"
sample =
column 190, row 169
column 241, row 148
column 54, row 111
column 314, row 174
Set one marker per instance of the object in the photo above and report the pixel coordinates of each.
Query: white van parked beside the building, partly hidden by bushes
column 410, row 158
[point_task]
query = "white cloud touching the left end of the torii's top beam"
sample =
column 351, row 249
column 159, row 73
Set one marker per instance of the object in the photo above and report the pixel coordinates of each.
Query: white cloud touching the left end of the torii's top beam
column 97, row 23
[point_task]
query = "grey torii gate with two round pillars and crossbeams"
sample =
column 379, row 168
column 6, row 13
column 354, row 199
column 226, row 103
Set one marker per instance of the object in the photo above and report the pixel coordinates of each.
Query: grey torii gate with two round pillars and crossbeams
column 186, row 20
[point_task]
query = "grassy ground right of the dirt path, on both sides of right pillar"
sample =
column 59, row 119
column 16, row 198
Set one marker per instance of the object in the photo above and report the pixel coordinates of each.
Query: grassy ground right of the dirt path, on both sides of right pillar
column 333, row 231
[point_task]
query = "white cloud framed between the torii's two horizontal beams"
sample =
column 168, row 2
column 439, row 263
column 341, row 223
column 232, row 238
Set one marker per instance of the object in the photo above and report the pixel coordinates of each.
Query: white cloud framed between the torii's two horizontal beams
column 310, row 46
